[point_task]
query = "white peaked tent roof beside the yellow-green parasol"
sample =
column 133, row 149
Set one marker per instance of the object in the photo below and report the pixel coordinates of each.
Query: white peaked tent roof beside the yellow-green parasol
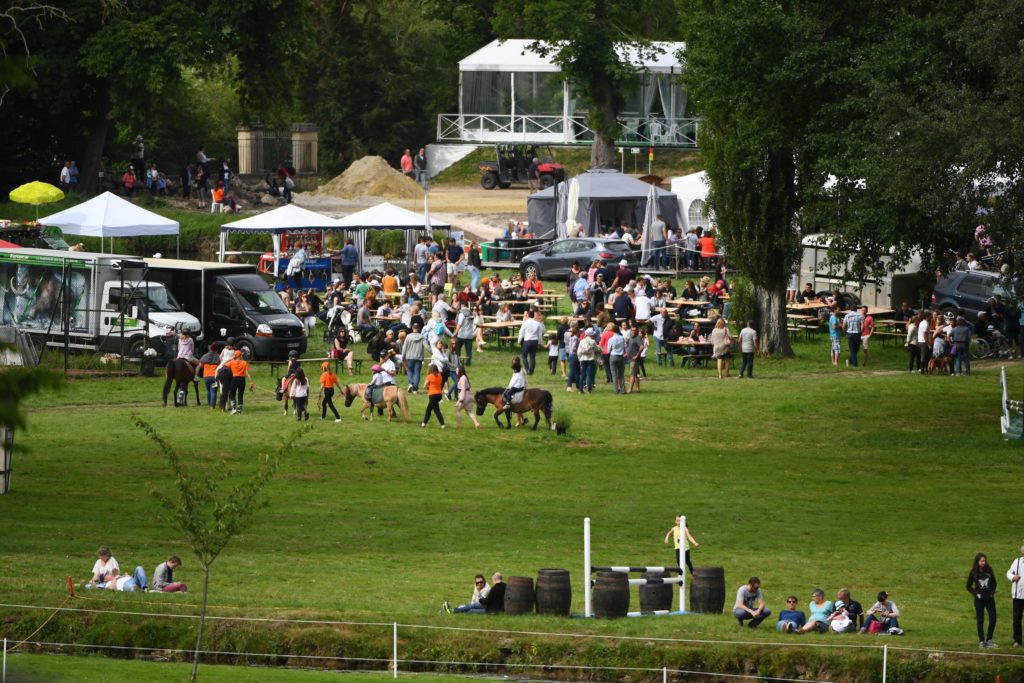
column 110, row 217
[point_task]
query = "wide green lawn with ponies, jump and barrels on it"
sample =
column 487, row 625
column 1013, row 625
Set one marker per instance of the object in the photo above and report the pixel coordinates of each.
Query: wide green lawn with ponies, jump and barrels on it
column 807, row 477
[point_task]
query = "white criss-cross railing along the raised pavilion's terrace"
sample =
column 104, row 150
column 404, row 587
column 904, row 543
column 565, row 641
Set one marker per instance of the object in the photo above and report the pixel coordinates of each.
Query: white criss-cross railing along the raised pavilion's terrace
column 655, row 132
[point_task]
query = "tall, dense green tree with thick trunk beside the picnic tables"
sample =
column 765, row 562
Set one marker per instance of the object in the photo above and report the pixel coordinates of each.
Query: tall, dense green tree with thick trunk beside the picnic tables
column 769, row 80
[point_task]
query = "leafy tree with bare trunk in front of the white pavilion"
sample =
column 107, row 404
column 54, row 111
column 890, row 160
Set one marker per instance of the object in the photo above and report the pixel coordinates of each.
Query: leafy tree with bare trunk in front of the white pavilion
column 584, row 37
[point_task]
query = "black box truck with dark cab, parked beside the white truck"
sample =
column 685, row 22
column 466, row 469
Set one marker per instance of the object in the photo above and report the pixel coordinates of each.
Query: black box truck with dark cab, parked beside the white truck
column 233, row 301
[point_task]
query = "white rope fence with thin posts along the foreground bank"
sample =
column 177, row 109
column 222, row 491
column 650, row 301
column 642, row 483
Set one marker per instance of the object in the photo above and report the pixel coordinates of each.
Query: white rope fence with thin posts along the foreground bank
column 395, row 663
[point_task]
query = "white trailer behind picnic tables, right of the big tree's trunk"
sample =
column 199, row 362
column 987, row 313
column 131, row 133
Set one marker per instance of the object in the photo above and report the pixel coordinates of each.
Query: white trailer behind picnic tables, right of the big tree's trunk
column 885, row 292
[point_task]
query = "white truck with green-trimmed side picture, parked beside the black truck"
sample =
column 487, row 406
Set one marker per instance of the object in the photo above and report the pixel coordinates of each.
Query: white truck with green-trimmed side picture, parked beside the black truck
column 87, row 301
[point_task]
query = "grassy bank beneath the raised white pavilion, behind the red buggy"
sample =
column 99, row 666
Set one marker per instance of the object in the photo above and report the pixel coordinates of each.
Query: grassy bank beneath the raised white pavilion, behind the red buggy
column 668, row 163
